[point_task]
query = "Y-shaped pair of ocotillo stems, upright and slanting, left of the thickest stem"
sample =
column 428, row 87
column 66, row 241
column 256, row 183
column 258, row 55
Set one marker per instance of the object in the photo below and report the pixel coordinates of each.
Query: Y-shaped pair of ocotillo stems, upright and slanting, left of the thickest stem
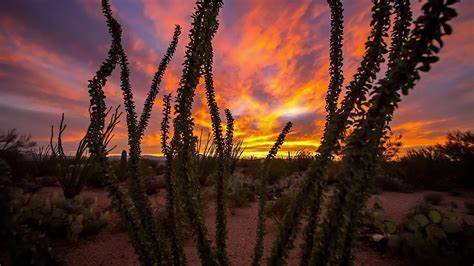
column 336, row 120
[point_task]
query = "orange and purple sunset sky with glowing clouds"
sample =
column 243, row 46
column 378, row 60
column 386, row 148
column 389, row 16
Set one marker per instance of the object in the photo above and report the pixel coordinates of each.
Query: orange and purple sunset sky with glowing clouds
column 271, row 66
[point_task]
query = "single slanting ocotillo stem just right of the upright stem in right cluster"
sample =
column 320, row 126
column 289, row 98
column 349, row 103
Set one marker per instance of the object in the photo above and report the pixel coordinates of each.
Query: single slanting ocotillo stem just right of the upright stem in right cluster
column 314, row 182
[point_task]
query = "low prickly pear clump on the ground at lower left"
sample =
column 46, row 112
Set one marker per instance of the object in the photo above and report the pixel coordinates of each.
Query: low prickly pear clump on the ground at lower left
column 57, row 216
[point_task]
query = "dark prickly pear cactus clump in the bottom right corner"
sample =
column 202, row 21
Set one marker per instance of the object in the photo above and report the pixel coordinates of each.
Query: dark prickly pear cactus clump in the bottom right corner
column 430, row 237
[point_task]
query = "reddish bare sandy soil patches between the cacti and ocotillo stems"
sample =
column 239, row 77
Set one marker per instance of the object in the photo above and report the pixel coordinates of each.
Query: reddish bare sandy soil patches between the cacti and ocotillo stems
column 111, row 246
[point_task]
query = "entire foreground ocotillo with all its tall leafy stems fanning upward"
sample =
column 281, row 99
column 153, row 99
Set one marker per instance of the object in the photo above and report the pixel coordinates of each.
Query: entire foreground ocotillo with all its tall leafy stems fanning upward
column 366, row 110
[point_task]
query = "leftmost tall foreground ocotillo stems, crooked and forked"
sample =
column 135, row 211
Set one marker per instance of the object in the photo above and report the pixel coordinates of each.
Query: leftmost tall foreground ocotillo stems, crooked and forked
column 138, row 216
